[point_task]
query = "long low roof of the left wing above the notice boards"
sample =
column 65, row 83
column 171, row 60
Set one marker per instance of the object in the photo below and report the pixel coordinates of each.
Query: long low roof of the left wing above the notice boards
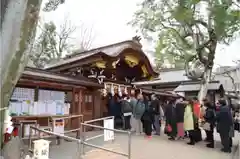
column 38, row 74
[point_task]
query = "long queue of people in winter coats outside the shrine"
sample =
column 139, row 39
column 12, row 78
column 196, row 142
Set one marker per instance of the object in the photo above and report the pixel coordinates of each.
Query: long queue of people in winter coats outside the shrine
column 182, row 117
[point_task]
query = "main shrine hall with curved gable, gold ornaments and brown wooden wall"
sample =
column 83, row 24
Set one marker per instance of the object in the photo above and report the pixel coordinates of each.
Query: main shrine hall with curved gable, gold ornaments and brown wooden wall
column 115, row 66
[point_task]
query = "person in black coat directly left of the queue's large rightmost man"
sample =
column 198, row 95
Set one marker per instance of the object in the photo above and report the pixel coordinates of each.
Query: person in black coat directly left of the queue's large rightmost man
column 210, row 119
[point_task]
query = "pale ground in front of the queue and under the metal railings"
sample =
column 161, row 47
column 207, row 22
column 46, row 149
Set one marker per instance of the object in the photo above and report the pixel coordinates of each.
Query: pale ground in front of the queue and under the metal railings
column 142, row 148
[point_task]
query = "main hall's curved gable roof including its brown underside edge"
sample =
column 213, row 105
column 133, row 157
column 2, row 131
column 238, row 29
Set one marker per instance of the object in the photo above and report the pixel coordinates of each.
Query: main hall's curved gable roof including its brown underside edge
column 130, row 50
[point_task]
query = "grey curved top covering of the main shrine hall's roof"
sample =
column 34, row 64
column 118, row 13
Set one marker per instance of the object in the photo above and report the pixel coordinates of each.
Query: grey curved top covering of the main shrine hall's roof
column 113, row 50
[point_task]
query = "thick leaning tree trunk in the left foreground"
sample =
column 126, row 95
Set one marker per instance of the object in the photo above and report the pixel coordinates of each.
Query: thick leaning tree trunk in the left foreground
column 17, row 34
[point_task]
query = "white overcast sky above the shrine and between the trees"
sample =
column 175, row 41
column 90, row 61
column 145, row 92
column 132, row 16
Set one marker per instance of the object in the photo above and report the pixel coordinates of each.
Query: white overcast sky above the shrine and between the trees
column 108, row 20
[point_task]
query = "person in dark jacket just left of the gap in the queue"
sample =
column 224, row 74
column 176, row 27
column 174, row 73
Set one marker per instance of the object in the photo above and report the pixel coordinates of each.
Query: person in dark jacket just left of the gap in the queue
column 156, row 110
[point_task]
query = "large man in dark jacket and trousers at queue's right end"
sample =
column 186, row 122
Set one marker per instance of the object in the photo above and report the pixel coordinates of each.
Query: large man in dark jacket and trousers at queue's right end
column 224, row 125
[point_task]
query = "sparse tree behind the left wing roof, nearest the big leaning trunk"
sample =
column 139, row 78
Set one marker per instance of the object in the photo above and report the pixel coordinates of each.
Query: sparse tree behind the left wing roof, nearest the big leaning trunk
column 52, row 43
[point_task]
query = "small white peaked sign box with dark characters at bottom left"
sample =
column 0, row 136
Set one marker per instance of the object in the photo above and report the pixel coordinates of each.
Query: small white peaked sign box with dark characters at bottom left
column 41, row 149
